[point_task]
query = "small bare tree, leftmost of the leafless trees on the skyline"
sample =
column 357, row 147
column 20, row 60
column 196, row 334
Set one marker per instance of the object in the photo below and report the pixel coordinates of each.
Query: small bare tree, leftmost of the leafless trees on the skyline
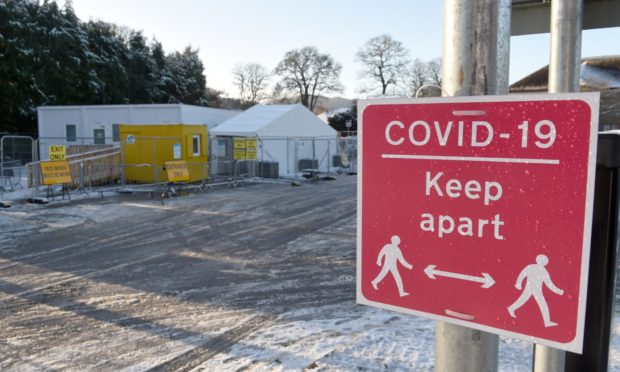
column 251, row 79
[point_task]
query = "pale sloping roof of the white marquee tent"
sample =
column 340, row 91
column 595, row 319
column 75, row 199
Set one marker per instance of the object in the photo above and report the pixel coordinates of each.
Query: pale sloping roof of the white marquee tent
column 275, row 121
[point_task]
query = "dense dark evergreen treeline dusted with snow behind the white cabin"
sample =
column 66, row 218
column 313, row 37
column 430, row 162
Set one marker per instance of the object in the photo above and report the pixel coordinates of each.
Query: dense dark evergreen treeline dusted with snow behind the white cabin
column 49, row 57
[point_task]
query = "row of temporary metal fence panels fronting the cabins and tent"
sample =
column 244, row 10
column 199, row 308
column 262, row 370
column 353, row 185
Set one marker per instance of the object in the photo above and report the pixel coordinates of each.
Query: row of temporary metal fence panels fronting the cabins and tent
column 140, row 165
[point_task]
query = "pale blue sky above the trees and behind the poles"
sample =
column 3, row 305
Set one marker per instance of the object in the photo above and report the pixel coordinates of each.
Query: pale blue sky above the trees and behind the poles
column 241, row 31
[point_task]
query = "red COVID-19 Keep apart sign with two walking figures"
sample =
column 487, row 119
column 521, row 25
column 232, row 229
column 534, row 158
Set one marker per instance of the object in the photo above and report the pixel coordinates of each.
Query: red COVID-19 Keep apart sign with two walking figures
column 478, row 210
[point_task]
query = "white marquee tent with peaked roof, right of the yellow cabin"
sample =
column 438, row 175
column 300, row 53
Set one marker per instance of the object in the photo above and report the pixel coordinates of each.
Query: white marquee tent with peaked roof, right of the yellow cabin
column 288, row 134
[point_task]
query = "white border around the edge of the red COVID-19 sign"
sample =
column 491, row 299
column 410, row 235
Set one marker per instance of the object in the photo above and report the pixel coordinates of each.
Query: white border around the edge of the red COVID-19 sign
column 590, row 98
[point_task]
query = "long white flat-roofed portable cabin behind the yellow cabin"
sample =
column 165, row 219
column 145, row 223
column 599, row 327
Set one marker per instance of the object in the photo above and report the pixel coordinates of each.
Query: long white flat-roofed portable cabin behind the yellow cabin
column 99, row 124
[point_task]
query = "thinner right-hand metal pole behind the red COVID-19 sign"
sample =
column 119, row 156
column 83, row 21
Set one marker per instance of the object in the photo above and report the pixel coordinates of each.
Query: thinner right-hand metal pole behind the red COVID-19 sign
column 564, row 69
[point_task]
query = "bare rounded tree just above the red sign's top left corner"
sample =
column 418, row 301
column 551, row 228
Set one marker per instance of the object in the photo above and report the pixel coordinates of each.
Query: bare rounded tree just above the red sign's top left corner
column 385, row 61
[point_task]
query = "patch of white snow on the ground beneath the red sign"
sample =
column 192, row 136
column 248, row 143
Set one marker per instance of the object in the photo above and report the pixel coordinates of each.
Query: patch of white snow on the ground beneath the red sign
column 348, row 337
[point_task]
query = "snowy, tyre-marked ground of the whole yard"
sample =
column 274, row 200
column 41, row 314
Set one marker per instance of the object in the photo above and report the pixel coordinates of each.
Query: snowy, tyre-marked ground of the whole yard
column 259, row 278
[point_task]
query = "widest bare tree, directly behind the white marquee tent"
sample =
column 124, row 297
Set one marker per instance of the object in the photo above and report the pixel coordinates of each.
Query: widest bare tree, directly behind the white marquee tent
column 309, row 73
